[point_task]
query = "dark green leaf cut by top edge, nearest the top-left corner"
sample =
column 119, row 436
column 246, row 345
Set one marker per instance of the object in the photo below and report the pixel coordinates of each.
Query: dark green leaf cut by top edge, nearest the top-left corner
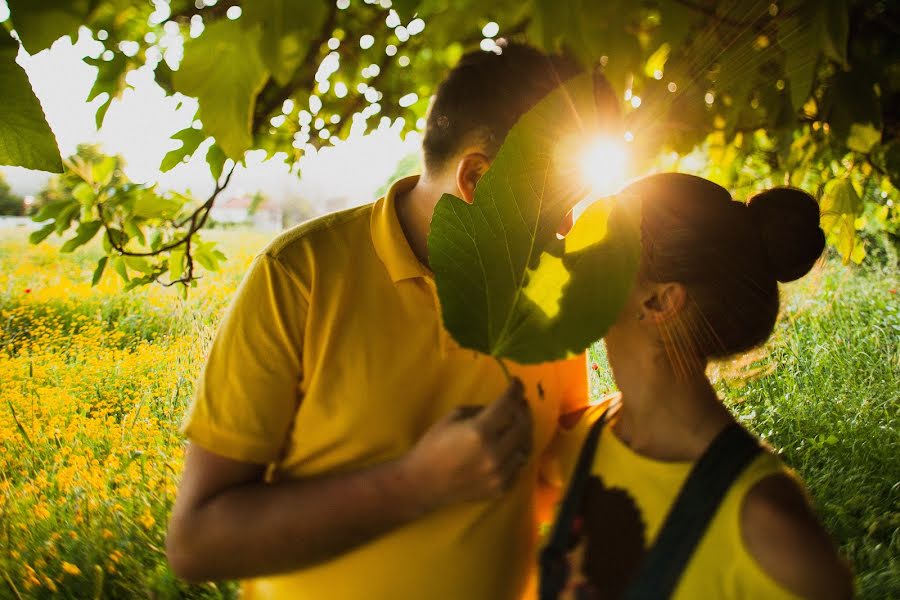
column 39, row 23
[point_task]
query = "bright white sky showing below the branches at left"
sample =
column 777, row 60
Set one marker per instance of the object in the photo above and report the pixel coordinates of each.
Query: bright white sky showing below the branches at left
column 139, row 126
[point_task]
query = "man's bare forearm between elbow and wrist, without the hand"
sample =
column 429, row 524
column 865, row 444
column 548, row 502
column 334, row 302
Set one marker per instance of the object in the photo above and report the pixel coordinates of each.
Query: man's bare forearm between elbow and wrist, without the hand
column 257, row 529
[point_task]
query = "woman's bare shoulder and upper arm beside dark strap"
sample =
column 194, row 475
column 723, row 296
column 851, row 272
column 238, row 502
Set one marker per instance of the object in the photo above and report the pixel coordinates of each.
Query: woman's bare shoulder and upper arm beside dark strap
column 782, row 535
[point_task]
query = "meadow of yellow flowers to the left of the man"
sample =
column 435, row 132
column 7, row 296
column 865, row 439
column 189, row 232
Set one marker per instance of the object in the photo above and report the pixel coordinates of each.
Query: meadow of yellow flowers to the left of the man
column 93, row 382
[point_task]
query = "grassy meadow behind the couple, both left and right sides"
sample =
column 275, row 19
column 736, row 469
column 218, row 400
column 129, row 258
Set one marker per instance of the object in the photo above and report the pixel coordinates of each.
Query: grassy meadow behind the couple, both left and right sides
column 93, row 383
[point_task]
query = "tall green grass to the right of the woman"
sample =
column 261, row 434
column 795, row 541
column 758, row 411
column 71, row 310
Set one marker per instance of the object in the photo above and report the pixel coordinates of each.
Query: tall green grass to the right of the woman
column 831, row 405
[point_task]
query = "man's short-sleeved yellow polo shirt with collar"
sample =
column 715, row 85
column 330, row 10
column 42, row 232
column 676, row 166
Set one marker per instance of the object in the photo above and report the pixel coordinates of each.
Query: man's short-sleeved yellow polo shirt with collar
column 332, row 357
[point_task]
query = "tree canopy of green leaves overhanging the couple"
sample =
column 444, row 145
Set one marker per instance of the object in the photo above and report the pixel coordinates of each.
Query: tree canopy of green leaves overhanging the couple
column 795, row 92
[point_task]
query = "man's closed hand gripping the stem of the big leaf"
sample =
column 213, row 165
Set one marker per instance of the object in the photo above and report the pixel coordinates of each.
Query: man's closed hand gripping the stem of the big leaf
column 474, row 453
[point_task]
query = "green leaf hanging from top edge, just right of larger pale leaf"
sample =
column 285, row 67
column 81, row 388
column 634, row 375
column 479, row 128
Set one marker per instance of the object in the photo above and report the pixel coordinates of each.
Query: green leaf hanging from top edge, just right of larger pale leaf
column 288, row 27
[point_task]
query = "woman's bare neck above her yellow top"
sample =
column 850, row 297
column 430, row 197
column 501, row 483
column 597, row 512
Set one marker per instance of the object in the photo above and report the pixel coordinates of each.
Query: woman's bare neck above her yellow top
column 669, row 417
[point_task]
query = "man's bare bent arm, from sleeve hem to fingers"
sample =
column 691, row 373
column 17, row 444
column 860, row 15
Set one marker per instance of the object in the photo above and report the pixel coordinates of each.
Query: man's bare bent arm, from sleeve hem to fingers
column 229, row 523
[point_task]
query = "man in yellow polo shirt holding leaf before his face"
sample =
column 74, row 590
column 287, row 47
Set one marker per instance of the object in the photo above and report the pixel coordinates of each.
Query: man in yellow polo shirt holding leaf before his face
column 341, row 445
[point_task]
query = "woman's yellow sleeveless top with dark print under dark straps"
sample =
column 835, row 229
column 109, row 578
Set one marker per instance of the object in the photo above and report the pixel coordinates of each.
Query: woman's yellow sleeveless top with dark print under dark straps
column 627, row 499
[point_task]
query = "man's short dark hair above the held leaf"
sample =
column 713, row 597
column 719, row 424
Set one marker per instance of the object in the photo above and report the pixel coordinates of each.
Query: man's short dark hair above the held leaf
column 485, row 94
